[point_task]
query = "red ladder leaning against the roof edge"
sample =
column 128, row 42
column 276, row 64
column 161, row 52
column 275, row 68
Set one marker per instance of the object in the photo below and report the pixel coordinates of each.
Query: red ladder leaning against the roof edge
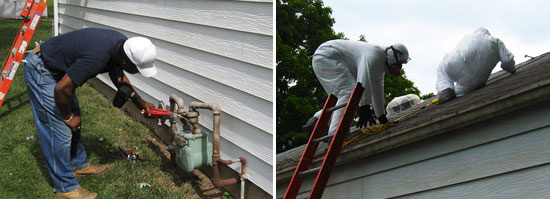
column 323, row 172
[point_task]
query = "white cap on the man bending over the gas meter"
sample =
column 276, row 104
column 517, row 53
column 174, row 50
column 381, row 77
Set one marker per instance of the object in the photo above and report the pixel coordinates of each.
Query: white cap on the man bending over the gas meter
column 142, row 53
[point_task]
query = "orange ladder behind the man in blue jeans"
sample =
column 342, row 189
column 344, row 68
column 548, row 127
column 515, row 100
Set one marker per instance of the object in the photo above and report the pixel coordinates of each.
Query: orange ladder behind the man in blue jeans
column 32, row 12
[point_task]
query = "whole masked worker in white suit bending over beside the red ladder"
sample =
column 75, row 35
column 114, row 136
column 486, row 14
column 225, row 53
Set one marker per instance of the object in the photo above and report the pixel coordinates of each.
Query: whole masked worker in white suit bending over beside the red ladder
column 339, row 64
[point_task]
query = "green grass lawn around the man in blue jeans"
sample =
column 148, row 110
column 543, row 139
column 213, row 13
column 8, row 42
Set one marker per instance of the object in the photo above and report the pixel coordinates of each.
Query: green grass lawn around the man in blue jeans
column 22, row 167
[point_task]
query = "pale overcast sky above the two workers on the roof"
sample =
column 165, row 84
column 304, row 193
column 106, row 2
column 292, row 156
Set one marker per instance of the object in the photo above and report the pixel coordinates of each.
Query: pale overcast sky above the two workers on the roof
column 431, row 28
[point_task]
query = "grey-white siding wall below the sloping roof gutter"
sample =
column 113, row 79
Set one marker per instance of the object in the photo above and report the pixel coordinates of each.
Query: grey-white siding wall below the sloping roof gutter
column 504, row 157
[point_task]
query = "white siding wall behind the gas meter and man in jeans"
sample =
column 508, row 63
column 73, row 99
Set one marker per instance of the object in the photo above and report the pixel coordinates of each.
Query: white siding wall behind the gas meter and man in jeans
column 209, row 51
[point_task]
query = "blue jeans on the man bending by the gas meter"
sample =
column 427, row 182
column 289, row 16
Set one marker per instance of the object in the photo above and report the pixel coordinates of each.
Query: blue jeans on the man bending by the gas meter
column 62, row 148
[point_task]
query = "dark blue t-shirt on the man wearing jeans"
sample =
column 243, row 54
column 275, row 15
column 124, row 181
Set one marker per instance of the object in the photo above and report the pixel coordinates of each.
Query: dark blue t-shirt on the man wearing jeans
column 82, row 54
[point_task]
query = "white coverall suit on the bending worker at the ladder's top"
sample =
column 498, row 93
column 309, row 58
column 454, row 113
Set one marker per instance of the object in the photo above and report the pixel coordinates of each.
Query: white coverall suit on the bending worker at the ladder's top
column 339, row 64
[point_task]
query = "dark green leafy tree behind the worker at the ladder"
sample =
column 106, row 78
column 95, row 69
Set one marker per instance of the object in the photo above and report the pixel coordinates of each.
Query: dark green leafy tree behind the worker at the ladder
column 303, row 25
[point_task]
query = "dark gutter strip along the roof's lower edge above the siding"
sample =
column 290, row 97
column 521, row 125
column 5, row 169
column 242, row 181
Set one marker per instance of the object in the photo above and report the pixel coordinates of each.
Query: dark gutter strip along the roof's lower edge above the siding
column 533, row 94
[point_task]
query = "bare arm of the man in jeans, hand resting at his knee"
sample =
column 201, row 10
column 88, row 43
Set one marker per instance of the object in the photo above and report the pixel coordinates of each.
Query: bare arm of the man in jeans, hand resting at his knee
column 63, row 95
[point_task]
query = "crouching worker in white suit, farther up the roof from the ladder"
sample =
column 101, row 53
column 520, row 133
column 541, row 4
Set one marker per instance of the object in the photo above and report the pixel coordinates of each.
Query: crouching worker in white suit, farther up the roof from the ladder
column 470, row 64
